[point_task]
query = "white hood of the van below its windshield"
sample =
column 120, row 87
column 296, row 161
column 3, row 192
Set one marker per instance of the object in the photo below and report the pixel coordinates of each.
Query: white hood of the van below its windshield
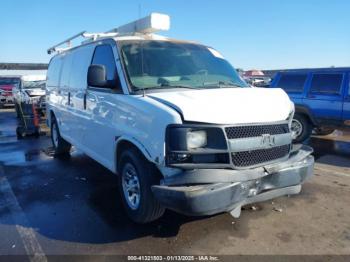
column 229, row 105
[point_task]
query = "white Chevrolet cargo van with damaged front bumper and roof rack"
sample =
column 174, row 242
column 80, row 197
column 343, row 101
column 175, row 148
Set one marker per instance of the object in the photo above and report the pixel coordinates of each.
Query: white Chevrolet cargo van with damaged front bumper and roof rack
column 174, row 121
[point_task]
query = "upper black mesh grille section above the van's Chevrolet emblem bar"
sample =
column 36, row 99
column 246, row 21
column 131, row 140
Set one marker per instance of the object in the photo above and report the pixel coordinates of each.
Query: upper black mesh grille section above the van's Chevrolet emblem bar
column 234, row 132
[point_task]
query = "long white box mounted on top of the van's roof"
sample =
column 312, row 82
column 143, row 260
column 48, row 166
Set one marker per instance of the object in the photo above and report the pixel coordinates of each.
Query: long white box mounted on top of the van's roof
column 147, row 25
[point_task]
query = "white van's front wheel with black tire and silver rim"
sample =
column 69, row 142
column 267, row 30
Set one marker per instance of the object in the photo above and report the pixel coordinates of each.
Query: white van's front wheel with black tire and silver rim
column 135, row 170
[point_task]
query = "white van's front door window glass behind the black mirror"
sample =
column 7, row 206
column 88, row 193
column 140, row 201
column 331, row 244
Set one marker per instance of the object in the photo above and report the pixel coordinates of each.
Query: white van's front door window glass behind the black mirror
column 104, row 56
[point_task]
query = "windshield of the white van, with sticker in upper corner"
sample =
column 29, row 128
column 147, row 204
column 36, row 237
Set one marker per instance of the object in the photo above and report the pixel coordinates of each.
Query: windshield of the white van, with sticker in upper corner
column 165, row 64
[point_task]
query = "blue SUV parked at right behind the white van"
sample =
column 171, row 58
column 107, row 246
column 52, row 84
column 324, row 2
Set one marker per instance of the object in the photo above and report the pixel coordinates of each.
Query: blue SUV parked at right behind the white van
column 321, row 98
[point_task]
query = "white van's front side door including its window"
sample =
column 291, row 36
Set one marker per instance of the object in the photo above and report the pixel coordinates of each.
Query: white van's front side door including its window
column 102, row 109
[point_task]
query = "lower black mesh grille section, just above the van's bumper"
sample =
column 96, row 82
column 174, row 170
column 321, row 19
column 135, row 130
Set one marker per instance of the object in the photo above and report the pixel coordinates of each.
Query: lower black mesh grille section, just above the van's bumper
column 255, row 157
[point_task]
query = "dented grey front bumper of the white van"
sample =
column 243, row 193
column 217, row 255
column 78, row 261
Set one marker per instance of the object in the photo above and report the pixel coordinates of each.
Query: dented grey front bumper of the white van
column 211, row 191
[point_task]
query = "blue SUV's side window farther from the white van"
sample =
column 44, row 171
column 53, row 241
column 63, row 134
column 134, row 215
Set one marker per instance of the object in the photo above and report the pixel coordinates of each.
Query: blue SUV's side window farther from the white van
column 326, row 83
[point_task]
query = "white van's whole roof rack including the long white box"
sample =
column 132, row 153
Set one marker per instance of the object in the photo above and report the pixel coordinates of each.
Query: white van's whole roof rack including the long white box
column 147, row 25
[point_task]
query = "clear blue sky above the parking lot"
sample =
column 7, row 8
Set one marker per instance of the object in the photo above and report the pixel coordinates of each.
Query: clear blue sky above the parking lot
column 264, row 34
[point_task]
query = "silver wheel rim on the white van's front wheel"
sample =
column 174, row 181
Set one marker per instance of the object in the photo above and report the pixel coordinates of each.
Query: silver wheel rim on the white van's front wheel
column 131, row 186
